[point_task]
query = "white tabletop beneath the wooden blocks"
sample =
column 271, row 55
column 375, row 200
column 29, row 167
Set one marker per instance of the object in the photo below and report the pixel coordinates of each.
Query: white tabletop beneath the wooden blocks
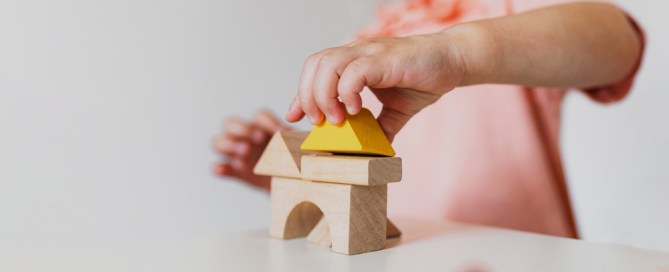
column 424, row 246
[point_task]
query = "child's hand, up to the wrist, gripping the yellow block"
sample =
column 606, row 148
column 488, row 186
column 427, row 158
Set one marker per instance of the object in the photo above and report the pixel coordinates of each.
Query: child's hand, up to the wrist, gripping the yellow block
column 405, row 74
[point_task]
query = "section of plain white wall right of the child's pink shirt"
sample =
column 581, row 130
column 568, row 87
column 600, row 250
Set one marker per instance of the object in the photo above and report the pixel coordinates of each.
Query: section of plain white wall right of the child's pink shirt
column 617, row 157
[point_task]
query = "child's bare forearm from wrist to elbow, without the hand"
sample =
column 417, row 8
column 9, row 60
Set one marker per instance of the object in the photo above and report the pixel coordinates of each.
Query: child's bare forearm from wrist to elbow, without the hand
column 572, row 45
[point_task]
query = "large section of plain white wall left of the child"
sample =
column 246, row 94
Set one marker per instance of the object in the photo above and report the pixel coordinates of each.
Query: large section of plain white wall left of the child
column 107, row 109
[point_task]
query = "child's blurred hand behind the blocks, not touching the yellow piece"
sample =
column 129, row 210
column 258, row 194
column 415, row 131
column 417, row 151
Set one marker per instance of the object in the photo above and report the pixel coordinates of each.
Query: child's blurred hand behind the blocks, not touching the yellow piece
column 242, row 142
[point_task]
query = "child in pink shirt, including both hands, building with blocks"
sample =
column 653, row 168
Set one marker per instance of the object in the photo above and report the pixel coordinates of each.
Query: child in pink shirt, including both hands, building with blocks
column 484, row 154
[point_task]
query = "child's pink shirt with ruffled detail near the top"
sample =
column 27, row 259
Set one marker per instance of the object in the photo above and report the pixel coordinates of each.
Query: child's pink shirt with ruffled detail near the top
column 484, row 154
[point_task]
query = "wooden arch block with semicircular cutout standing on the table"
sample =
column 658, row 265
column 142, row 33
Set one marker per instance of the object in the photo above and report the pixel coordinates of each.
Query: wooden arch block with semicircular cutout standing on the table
column 355, row 215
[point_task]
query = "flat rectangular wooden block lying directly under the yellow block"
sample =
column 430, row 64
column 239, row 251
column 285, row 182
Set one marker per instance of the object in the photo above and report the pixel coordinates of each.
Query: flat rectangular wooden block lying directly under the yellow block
column 356, row 170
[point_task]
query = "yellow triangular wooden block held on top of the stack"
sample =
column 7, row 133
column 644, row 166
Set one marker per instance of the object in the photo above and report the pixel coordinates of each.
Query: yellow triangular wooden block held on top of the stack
column 358, row 134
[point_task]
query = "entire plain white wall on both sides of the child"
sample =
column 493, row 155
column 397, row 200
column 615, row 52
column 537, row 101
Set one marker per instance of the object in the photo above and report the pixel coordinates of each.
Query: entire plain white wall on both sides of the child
column 107, row 109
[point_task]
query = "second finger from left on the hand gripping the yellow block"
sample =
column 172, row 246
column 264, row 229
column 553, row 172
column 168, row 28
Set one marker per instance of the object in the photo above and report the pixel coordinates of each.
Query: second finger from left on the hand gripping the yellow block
column 305, row 91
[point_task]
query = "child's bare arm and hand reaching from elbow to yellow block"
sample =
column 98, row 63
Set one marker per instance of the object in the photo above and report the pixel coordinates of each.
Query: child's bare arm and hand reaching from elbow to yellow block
column 579, row 45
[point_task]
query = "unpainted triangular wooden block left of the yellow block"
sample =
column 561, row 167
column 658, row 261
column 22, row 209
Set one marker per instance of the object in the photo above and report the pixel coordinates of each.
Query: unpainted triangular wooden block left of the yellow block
column 282, row 156
